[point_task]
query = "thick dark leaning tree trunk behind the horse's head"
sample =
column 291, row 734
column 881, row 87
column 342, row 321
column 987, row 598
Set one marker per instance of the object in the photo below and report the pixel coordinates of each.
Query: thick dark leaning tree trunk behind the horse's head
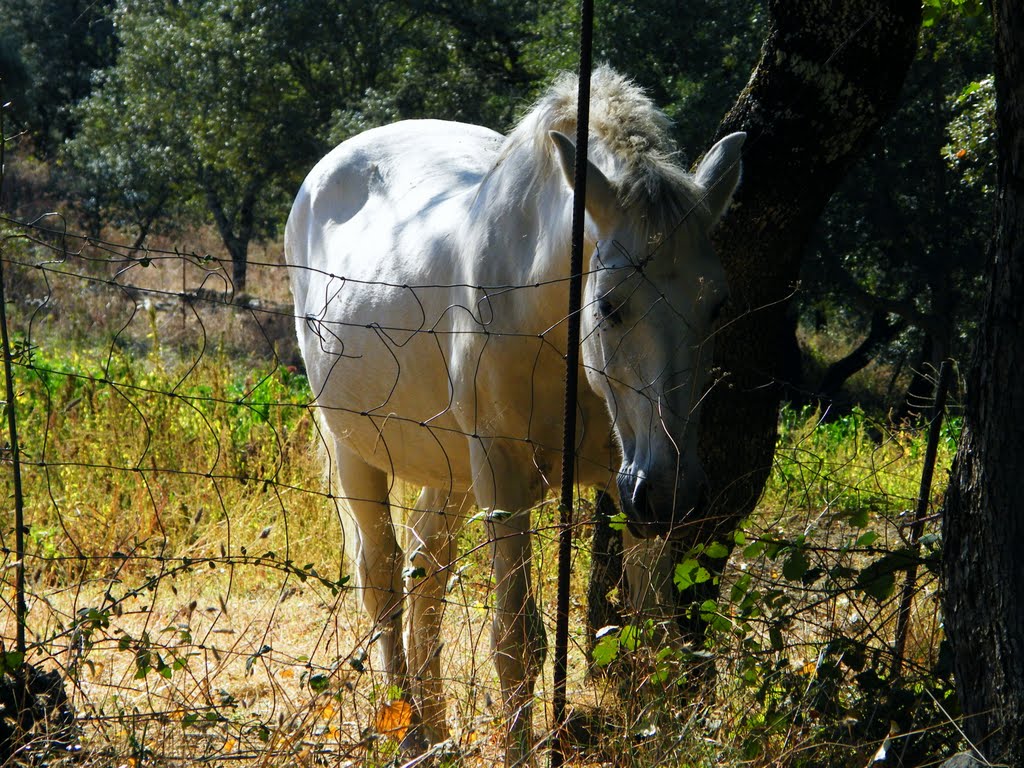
column 830, row 75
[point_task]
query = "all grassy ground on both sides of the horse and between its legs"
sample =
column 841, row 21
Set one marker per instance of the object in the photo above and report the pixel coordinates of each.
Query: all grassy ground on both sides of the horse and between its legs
column 187, row 578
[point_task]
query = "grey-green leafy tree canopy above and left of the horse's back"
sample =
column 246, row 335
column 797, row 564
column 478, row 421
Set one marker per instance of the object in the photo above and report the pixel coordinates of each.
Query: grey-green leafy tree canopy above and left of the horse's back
column 219, row 111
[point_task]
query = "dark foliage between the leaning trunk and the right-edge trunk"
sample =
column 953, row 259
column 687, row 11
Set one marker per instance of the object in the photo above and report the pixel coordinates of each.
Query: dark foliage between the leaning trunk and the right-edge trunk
column 900, row 251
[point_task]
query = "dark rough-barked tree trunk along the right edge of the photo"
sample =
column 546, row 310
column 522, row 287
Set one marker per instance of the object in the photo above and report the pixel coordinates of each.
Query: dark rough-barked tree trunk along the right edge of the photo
column 984, row 523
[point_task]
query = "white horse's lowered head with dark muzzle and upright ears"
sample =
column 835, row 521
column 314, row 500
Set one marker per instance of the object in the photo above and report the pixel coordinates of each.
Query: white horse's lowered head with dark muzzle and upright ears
column 654, row 289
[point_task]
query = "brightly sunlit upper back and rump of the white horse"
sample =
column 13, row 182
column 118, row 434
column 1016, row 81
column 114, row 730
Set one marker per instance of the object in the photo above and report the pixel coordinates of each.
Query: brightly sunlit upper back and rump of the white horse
column 382, row 205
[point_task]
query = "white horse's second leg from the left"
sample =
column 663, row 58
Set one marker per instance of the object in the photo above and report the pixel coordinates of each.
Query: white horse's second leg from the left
column 432, row 548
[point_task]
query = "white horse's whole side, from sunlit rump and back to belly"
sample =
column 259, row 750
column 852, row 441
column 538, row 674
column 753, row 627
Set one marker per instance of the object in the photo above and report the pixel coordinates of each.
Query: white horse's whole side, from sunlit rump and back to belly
column 372, row 244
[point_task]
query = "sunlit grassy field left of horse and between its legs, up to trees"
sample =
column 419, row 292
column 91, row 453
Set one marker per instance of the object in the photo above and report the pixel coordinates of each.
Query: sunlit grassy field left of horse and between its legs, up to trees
column 184, row 556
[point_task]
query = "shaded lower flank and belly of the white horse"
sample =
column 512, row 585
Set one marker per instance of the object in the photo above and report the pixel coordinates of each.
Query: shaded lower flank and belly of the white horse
column 378, row 367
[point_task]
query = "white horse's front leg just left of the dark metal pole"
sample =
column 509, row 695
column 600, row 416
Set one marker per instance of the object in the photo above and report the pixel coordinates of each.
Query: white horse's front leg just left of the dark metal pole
column 518, row 632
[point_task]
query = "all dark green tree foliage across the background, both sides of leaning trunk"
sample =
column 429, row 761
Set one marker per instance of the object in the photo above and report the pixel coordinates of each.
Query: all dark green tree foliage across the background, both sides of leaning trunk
column 172, row 114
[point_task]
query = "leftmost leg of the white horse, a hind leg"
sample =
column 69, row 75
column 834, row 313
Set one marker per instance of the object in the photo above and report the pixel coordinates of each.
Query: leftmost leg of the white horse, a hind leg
column 378, row 558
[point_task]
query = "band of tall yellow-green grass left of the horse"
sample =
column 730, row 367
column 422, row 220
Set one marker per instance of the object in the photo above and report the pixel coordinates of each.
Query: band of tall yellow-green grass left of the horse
column 121, row 454
